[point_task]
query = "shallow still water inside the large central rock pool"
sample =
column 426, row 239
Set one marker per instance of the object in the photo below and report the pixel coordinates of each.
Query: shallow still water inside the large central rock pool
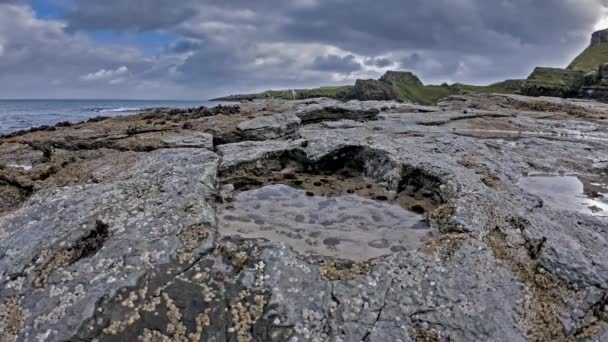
column 346, row 226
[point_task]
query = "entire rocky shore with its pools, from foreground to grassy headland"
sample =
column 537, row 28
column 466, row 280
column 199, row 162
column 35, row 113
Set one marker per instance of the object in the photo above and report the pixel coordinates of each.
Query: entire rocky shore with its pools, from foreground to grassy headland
column 133, row 228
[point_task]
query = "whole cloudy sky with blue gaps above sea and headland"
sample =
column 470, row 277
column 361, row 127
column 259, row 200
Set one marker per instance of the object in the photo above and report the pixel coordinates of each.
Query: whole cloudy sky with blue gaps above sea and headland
column 199, row 49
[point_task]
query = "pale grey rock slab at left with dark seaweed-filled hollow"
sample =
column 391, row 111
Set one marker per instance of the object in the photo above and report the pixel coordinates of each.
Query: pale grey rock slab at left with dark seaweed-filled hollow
column 67, row 249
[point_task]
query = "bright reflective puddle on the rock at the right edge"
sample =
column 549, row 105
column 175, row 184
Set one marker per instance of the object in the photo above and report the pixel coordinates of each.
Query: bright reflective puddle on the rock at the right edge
column 569, row 193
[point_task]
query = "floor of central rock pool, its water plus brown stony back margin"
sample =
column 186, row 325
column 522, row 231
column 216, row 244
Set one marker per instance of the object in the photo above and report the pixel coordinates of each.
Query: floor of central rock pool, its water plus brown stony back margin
column 342, row 216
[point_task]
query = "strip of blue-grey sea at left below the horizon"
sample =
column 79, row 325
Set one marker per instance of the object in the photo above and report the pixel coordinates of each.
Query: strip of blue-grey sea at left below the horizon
column 17, row 115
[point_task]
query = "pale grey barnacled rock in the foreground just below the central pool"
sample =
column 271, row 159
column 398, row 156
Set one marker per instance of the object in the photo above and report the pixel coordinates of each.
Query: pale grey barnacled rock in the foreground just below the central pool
column 401, row 298
